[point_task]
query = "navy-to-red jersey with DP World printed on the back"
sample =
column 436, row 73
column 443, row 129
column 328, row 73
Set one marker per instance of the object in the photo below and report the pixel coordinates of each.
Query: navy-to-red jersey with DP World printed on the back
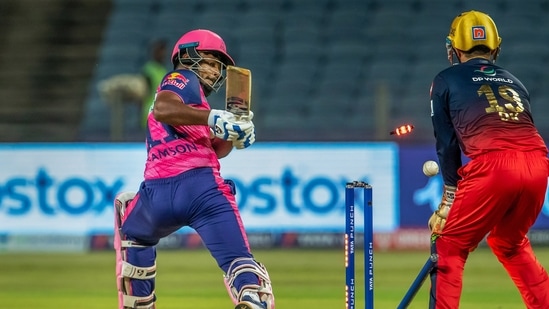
column 476, row 108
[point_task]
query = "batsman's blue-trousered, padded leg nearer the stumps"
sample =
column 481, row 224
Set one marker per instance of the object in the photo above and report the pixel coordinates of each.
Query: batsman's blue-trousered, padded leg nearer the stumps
column 221, row 229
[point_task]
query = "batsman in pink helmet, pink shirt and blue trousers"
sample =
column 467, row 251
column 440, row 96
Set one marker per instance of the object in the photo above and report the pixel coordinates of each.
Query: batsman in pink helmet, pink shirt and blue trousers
column 182, row 183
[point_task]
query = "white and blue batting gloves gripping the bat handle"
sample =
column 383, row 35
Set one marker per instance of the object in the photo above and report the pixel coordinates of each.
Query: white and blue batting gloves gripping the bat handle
column 225, row 125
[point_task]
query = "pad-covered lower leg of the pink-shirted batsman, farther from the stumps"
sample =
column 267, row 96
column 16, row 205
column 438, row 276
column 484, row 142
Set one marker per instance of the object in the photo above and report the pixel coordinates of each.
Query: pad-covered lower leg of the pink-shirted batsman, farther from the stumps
column 135, row 263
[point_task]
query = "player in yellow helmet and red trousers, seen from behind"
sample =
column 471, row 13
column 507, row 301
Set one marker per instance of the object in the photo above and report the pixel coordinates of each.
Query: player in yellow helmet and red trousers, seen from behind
column 482, row 111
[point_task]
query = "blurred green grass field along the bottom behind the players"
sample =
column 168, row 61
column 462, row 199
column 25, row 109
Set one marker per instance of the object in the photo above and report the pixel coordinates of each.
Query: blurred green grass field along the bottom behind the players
column 190, row 279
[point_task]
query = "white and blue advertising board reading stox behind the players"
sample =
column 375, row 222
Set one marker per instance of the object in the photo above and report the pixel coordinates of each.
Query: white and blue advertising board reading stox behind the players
column 298, row 187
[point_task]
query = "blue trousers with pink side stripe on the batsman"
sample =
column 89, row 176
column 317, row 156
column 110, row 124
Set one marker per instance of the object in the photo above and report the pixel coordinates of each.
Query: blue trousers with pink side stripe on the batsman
column 198, row 198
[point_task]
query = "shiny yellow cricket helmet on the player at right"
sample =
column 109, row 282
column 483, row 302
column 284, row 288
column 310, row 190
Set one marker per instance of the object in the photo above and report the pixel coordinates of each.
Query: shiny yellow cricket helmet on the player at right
column 473, row 28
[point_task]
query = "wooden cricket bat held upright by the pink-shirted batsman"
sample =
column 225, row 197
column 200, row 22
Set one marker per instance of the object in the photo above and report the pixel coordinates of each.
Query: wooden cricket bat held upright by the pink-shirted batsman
column 238, row 91
